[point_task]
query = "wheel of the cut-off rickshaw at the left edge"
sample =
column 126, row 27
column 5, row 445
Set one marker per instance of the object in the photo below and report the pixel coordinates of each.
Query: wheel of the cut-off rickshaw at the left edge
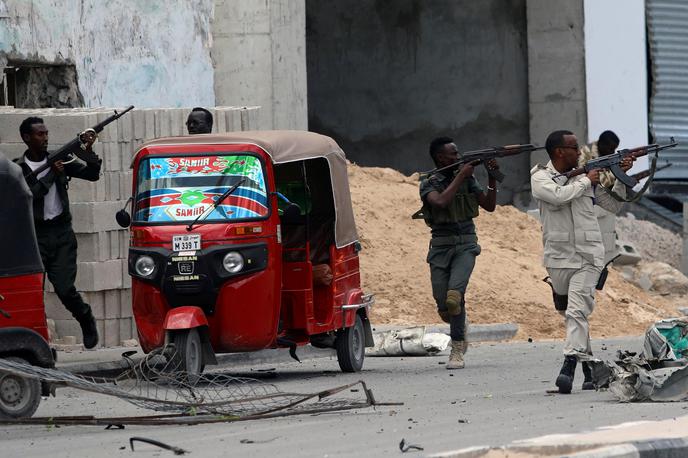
column 19, row 396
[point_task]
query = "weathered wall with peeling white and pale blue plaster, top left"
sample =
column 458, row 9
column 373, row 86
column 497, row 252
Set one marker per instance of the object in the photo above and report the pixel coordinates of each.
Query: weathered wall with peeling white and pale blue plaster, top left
column 148, row 53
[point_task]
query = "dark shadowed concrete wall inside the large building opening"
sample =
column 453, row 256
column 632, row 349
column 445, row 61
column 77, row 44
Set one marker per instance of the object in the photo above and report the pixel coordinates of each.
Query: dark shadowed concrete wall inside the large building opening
column 385, row 77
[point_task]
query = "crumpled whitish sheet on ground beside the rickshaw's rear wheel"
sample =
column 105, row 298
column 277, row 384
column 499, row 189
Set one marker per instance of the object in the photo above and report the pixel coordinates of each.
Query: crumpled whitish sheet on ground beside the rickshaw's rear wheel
column 407, row 342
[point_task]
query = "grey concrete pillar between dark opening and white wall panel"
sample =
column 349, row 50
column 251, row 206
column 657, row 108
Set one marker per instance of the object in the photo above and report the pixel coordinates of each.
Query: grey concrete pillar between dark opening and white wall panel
column 556, row 70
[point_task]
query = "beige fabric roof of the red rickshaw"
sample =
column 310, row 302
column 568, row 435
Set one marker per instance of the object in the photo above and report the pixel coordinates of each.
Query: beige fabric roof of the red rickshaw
column 289, row 146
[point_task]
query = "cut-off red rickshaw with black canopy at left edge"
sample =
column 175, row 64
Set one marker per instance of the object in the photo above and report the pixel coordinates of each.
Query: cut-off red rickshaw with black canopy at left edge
column 23, row 327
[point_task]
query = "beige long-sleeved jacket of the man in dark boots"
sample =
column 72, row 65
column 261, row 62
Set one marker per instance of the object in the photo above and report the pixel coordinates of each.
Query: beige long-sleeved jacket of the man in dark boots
column 571, row 232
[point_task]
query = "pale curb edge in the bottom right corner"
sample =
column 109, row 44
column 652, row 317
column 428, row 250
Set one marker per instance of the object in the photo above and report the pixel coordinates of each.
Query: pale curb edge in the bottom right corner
column 653, row 448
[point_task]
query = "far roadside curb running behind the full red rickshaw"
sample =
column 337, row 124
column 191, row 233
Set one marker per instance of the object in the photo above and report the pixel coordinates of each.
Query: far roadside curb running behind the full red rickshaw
column 476, row 333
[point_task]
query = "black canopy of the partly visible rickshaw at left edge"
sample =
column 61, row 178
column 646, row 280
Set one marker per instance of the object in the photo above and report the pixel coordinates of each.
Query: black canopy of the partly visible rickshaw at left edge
column 20, row 253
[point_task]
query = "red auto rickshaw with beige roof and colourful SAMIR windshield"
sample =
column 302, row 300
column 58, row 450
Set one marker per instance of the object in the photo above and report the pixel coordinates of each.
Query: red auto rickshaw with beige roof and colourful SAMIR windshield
column 245, row 241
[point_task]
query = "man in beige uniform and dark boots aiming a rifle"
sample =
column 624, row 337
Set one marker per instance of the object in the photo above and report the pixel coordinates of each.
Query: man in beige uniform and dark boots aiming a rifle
column 573, row 248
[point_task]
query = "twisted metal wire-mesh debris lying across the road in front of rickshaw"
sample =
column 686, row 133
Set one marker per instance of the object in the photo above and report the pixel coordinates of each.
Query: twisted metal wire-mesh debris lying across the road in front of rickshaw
column 155, row 384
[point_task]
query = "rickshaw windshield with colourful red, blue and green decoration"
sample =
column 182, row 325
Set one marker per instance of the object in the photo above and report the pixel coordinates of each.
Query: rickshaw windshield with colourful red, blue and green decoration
column 177, row 189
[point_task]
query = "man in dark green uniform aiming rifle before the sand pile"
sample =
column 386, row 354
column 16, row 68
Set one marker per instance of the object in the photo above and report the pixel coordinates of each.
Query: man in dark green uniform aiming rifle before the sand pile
column 450, row 202
